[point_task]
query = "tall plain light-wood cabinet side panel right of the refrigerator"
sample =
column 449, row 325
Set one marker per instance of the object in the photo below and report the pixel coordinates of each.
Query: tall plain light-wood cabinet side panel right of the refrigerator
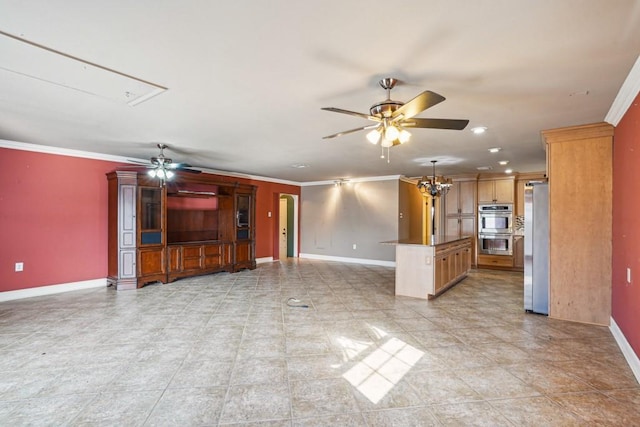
column 580, row 162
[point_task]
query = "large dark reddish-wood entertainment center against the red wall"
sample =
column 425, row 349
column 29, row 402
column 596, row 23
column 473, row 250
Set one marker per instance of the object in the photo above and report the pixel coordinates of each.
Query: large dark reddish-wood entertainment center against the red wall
column 189, row 226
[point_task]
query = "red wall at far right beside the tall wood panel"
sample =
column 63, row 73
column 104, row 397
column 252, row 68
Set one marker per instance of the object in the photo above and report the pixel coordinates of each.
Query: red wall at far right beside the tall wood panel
column 625, row 306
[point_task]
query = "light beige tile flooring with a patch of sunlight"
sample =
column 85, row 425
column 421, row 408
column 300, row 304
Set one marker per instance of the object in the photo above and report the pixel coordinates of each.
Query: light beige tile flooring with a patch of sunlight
column 226, row 349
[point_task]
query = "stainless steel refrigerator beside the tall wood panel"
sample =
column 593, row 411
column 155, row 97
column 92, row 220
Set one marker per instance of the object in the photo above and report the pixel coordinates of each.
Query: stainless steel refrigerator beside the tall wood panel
column 536, row 247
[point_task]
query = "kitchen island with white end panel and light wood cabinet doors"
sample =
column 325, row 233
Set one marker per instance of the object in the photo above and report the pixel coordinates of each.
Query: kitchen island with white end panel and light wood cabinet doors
column 426, row 269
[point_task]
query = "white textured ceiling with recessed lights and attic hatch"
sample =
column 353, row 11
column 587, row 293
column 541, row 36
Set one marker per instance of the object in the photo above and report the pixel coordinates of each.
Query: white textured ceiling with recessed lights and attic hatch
column 246, row 79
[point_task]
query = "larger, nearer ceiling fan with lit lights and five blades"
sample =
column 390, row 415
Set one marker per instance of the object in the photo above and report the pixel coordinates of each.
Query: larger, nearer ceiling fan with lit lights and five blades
column 392, row 118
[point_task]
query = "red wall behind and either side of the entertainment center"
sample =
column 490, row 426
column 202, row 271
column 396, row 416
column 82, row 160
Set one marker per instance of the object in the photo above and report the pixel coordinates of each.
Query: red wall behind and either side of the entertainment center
column 53, row 218
